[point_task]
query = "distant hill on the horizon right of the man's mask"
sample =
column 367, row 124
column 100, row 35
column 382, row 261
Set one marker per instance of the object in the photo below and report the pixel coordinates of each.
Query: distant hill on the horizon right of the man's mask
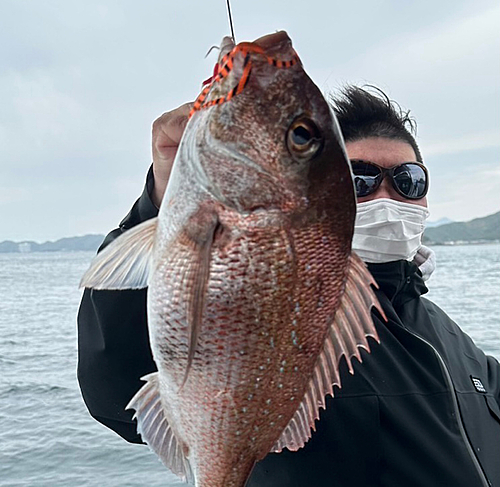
column 479, row 230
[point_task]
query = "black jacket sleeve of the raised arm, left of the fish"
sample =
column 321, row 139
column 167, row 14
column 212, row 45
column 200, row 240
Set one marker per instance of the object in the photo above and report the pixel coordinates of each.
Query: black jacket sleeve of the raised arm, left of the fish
column 113, row 343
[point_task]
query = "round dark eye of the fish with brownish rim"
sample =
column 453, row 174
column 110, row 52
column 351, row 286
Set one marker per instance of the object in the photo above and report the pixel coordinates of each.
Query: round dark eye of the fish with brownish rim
column 303, row 139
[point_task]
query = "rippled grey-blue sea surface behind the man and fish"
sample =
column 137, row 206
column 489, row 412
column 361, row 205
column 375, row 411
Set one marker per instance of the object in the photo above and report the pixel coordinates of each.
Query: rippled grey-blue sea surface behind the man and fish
column 47, row 437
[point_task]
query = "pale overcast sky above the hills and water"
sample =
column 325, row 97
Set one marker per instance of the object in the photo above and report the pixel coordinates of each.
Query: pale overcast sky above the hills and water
column 82, row 81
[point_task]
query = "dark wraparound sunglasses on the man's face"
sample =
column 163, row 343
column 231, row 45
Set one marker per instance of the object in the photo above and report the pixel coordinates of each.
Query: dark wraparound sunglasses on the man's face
column 409, row 179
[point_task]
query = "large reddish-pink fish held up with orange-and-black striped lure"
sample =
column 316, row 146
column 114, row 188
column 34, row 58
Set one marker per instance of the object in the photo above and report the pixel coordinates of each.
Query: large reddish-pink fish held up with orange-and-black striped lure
column 254, row 293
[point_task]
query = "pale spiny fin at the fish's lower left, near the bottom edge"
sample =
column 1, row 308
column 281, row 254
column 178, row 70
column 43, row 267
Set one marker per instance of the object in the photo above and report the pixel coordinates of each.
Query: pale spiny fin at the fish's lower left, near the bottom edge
column 154, row 429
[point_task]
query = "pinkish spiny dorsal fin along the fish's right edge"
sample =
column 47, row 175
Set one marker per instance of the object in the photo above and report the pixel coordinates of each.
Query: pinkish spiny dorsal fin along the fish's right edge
column 347, row 334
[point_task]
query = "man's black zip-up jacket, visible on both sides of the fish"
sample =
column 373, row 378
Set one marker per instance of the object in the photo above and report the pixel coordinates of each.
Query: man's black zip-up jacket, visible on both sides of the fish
column 422, row 409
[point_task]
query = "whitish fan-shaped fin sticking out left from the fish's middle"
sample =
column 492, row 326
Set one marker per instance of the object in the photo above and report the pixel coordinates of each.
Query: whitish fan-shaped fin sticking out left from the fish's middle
column 125, row 262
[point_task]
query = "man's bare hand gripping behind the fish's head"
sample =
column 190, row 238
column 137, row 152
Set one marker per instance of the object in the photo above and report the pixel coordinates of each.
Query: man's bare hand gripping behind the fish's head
column 167, row 133
